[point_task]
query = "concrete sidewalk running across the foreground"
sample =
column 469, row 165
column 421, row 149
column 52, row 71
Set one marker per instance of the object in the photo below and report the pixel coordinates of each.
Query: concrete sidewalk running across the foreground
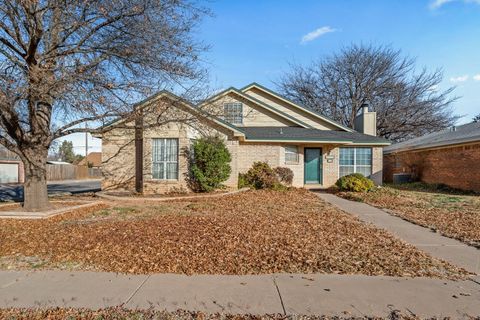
column 255, row 294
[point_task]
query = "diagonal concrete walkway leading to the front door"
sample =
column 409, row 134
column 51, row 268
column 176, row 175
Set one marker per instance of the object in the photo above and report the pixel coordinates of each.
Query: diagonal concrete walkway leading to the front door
column 445, row 248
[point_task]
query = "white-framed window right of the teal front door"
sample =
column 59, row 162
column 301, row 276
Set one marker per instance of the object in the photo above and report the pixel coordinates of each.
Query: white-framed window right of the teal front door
column 355, row 160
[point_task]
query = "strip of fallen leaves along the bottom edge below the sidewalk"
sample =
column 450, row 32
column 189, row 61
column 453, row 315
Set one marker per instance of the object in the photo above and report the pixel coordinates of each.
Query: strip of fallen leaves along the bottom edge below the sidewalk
column 122, row 313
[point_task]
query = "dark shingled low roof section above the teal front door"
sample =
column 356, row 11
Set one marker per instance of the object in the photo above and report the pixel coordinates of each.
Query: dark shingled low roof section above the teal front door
column 296, row 134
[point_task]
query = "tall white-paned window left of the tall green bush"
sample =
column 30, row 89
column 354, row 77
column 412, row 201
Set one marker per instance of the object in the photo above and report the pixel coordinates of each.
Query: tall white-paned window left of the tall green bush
column 165, row 159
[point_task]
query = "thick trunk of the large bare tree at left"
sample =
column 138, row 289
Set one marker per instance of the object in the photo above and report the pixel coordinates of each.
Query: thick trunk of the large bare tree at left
column 35, row 194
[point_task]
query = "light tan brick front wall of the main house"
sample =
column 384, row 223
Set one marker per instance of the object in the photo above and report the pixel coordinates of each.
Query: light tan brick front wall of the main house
column 118, row 157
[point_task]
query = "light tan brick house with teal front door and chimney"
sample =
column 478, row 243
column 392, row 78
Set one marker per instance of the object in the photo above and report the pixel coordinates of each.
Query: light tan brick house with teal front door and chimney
column 256, row 123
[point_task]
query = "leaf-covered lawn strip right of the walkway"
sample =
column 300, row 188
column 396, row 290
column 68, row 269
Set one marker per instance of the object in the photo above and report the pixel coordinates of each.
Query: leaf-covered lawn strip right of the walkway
column 452, row 214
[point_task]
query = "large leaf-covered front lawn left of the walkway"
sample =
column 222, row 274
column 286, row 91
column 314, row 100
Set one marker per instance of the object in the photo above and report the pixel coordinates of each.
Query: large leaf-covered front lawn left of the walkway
column 247, row 233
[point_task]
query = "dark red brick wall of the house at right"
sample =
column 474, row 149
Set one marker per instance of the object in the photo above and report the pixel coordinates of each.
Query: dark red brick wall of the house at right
column 458, row 166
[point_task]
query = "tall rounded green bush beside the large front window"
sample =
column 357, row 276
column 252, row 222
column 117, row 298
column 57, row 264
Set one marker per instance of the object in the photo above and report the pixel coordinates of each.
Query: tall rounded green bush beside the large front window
column 210, row 164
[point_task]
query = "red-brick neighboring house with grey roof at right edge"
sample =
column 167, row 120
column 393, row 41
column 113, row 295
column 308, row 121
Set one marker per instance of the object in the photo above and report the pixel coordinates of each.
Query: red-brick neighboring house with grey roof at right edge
column 450, row 157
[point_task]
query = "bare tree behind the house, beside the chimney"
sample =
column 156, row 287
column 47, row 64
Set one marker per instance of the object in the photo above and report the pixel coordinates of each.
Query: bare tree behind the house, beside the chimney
column 408, row 104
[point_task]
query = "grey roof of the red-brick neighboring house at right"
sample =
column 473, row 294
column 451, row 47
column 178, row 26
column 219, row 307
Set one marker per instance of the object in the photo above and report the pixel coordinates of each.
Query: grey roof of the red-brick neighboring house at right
column 466, row 133
